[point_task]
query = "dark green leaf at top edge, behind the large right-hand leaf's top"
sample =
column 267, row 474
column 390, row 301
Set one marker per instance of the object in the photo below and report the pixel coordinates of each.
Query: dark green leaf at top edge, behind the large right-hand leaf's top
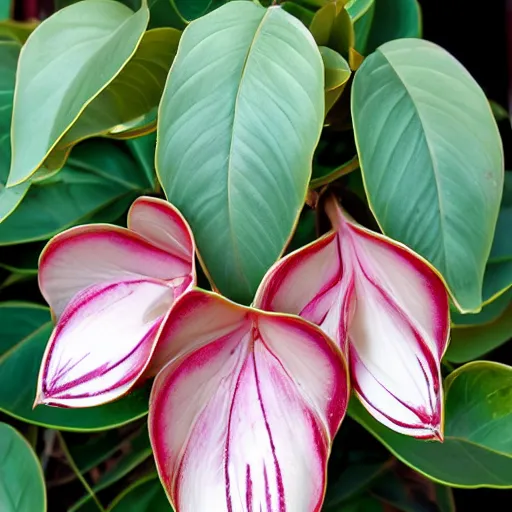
column 393, row 19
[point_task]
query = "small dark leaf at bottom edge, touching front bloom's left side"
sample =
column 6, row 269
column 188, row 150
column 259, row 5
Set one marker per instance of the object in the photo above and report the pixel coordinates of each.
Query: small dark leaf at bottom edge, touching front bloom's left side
column 146, row 495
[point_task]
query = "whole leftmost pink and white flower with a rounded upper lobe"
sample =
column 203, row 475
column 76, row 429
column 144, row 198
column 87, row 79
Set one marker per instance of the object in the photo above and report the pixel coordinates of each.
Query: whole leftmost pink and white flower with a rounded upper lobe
column 109, row 289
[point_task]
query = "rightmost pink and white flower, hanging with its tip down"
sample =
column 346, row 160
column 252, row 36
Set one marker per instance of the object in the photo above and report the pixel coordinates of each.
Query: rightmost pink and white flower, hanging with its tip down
column 385, row 308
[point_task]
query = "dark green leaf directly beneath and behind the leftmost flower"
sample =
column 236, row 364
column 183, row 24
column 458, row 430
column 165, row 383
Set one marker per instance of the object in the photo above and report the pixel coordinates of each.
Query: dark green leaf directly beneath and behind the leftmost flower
column 24, row 332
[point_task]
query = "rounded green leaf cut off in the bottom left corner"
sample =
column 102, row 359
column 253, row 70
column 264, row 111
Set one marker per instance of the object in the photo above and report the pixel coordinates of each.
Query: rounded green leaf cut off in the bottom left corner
column 21, row 478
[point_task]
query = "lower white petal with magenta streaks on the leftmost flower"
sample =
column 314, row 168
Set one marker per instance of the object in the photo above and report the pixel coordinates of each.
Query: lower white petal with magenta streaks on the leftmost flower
column 102, row 343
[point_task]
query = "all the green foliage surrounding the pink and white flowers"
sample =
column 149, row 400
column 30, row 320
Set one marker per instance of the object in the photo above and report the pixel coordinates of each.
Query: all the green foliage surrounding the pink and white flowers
column 245, row 116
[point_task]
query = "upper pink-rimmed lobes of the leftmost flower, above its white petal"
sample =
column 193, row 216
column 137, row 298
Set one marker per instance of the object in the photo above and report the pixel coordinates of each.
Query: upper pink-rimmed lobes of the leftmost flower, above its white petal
column 95, row 254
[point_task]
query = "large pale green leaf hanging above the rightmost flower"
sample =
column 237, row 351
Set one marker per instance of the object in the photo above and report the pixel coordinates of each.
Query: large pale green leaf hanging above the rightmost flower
column 432, row 161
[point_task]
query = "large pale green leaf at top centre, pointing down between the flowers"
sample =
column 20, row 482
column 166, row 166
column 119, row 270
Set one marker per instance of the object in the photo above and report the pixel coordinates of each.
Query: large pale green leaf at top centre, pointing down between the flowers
column 239, row 120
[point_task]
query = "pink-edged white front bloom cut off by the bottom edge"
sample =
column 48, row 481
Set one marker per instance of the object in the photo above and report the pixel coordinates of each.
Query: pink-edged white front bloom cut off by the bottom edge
column 245, row 421
